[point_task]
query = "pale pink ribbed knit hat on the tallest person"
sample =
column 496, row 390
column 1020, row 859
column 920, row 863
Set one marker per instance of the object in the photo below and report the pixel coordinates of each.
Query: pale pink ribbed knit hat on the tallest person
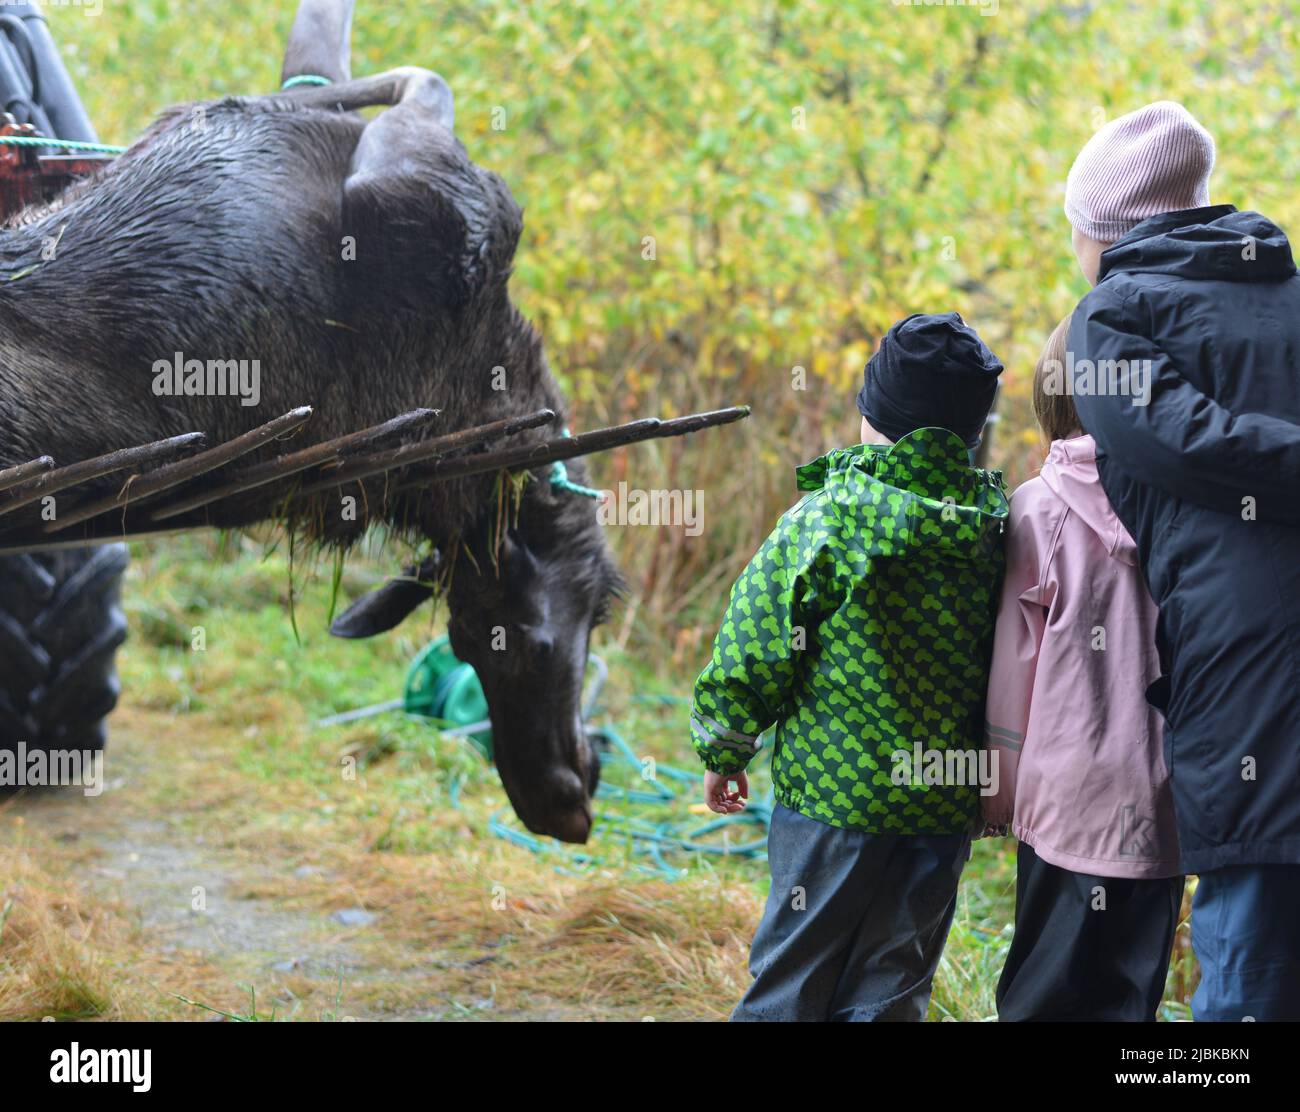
column 1158, row 159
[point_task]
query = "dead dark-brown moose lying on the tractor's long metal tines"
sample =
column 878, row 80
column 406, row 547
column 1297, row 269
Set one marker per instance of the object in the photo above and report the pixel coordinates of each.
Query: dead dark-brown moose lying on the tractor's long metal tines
column 284, row 252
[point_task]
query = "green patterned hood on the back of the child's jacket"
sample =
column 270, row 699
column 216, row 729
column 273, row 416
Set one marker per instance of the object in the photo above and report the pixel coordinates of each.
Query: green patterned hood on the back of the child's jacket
column 920, row 494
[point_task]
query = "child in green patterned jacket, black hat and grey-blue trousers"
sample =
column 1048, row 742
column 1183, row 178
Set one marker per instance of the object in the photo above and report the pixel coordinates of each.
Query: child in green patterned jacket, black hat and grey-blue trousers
column 863, row 631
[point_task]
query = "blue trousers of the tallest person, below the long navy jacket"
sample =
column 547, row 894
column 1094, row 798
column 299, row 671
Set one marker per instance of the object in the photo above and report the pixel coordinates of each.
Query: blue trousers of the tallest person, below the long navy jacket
column 1246, row 932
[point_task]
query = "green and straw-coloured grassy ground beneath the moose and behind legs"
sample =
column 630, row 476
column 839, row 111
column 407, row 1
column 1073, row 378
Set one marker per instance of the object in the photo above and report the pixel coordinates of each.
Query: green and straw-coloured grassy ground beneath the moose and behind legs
column 223, row 794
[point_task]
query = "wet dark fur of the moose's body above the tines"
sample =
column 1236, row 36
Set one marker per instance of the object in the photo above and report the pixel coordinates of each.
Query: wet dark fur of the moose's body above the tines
column 220, row 235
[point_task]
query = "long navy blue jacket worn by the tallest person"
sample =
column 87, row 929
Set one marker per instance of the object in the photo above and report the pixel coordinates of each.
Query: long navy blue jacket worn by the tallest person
column 1207, row 479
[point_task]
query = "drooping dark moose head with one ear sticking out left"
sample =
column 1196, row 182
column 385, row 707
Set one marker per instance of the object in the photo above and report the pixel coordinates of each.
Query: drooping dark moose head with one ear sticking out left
column 523, row 603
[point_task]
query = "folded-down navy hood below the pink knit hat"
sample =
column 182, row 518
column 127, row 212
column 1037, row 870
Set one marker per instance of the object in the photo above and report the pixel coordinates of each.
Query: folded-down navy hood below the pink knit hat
column 1210, row 244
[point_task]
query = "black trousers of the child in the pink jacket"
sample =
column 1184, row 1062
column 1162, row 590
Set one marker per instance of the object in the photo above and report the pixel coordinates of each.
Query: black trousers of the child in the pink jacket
column 1087, row 947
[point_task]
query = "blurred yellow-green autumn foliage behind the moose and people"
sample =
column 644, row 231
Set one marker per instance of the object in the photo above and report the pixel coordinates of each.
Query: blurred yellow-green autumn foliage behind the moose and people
column 727, row 202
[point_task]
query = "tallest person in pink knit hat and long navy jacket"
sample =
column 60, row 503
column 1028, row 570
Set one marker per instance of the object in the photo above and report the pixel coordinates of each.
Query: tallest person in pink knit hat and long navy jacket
column 1186, row 366
